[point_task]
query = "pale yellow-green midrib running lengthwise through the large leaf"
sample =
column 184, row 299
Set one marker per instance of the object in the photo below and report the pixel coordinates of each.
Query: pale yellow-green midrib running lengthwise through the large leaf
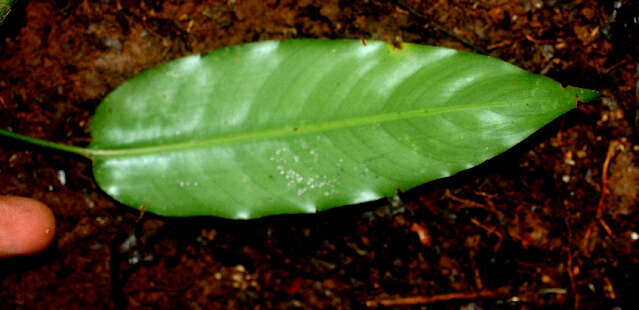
column 287, row 131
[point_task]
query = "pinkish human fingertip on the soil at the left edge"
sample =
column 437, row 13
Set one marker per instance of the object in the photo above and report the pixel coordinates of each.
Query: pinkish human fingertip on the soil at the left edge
column 27, row 226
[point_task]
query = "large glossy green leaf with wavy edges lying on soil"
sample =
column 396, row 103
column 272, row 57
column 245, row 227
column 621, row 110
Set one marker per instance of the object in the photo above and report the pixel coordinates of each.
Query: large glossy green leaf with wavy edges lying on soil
column 306, row 125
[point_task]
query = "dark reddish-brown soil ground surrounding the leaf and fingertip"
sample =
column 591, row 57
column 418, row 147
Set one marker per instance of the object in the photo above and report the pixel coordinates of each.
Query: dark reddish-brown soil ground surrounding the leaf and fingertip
column 552, row 223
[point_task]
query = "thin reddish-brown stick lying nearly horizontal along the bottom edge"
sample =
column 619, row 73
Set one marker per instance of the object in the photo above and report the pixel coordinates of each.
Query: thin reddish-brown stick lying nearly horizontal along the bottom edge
column 426, row 300
